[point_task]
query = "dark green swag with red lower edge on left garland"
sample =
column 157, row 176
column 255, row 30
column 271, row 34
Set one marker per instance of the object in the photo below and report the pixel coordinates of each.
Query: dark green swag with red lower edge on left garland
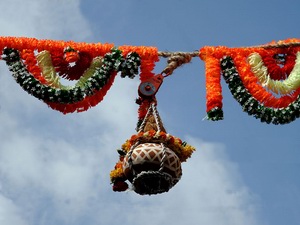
column 67, row 99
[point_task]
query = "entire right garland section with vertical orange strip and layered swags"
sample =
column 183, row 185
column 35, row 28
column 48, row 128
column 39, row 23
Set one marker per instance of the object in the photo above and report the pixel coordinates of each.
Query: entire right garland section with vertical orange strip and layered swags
column 265, row 80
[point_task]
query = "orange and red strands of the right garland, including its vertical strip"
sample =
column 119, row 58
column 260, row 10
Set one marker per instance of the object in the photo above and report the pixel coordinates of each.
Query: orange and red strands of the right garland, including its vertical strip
column 213, row 55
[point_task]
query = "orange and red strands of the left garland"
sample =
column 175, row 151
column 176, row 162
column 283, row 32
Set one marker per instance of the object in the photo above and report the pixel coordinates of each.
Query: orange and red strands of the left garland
column 64, row 53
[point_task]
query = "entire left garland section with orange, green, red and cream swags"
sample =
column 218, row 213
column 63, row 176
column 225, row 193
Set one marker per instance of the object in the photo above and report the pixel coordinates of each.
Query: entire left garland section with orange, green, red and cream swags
column 39, row 65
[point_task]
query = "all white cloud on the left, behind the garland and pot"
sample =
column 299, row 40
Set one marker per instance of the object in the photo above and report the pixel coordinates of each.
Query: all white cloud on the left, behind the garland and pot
column 54, row 168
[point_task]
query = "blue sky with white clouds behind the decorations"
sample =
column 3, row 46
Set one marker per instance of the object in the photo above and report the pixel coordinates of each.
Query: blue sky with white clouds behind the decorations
column 54, row 168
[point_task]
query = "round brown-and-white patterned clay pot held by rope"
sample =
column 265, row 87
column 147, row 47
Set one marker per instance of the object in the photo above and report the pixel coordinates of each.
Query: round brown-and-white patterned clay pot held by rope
column 145, row 174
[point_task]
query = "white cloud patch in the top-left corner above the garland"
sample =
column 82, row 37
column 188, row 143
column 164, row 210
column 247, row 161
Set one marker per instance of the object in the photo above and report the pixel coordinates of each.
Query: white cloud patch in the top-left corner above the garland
column 58, row 19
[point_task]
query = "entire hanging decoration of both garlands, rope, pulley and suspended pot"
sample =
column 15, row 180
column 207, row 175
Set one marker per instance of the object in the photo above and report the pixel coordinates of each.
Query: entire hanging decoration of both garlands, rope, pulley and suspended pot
column 265, row 81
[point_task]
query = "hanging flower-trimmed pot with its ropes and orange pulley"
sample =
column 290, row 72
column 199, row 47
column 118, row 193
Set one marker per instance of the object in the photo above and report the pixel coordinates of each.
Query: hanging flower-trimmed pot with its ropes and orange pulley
column 151, row 159
